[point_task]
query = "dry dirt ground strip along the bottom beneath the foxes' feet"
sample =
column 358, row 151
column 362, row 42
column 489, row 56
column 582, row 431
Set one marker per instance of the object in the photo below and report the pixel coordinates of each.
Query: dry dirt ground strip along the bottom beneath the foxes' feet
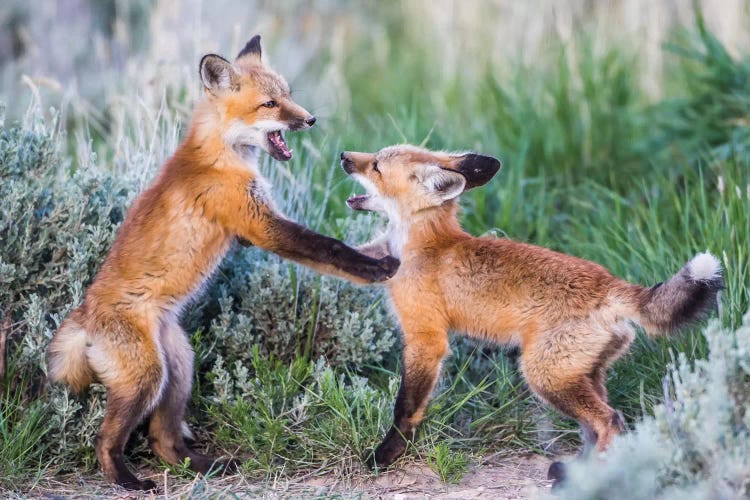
column 494, row 477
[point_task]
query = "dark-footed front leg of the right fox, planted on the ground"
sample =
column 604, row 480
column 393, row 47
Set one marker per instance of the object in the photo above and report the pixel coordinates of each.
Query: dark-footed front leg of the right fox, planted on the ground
column 423, row 354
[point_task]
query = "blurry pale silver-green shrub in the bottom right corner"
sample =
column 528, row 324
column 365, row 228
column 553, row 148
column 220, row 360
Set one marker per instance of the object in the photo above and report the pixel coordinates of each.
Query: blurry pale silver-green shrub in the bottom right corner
column 697, row 444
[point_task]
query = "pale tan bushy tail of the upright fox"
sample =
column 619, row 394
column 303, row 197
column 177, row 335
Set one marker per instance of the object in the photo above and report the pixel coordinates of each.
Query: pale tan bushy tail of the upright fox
column 66, row 357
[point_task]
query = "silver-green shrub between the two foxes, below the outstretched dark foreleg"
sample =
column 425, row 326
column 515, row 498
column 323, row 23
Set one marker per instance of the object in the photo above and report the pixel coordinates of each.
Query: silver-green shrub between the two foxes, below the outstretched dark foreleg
column 291, row 313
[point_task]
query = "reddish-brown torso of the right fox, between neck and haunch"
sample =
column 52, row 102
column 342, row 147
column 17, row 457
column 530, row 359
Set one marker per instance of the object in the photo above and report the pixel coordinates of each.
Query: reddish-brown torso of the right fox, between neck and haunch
column 501, row 289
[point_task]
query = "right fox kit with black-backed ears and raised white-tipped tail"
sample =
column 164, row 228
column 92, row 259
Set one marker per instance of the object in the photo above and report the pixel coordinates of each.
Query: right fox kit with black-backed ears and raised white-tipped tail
column 570, row 317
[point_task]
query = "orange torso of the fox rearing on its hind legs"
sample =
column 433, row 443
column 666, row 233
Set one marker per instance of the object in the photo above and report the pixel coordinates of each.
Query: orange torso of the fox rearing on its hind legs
column 166, row 249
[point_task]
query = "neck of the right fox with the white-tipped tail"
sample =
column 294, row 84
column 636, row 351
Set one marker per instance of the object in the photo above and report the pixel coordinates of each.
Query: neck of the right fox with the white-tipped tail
column 432, row 228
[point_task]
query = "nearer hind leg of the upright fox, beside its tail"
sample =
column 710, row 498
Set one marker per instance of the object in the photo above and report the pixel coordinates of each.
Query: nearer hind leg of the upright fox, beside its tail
column 131, row 368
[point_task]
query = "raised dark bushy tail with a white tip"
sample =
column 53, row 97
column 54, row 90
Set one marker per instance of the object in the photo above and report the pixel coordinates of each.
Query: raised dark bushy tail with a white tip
column 687, row 295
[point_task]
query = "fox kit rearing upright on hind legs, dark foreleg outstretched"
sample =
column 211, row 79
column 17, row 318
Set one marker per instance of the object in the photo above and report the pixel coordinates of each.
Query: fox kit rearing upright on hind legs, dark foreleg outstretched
column 126, row 334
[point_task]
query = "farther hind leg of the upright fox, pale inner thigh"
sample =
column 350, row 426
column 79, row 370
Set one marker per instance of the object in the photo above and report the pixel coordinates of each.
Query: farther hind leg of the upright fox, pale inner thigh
column 165, row 427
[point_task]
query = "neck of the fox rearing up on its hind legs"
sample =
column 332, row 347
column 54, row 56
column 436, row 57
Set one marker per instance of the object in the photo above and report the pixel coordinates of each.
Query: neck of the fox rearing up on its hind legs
column 205, row 145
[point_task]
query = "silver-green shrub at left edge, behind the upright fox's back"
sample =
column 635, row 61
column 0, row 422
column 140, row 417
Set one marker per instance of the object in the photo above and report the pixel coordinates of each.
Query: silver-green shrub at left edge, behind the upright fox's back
column 55, row 228
